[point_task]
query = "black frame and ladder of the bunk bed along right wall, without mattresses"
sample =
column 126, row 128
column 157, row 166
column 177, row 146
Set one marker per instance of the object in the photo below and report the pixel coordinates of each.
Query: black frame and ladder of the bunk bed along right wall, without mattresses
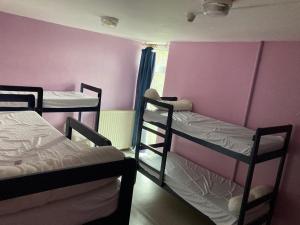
column 251, row 160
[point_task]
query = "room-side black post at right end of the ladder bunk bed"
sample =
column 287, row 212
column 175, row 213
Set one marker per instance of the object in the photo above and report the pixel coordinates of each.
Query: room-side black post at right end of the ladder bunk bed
column 249, row 178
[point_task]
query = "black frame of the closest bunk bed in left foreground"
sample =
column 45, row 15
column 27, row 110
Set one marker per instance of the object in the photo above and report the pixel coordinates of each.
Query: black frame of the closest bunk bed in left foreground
column 35, row 183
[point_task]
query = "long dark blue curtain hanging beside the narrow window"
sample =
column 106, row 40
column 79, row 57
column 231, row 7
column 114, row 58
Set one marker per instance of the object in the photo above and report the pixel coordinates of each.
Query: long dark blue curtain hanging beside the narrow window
column 143, row 83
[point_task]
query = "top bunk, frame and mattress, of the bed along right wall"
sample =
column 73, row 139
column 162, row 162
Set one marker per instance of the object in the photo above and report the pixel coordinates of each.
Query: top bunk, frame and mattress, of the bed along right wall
column 232, row 140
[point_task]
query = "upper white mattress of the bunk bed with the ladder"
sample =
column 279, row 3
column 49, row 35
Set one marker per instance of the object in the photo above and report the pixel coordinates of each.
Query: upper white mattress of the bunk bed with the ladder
column 232, row 137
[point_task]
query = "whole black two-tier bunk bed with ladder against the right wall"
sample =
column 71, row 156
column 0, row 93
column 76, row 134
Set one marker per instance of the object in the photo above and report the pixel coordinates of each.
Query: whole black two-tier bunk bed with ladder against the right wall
column 205, row 190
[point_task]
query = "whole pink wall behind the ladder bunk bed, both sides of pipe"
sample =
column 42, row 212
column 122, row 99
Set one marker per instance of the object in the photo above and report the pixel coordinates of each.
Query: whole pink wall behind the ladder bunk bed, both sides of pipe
column 217, row 78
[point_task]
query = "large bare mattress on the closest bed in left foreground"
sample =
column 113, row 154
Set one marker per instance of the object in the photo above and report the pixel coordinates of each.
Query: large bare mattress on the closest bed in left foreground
column 30, row 145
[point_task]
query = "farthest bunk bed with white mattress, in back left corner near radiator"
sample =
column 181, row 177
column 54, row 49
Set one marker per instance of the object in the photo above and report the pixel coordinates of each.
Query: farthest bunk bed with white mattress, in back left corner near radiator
column 61, row 101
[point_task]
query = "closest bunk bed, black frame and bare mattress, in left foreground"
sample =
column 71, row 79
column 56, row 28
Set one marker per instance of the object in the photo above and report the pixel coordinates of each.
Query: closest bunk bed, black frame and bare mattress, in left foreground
column 45, row 178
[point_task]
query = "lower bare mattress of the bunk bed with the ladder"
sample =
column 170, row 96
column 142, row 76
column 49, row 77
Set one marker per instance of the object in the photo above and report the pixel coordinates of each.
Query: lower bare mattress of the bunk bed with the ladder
column 205, row 190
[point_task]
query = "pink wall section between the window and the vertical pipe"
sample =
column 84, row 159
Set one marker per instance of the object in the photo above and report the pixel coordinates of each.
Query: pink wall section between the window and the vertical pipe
column 217, row 79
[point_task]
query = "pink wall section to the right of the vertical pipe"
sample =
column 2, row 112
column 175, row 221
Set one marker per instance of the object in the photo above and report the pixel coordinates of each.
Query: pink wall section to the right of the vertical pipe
column 277, row 101
